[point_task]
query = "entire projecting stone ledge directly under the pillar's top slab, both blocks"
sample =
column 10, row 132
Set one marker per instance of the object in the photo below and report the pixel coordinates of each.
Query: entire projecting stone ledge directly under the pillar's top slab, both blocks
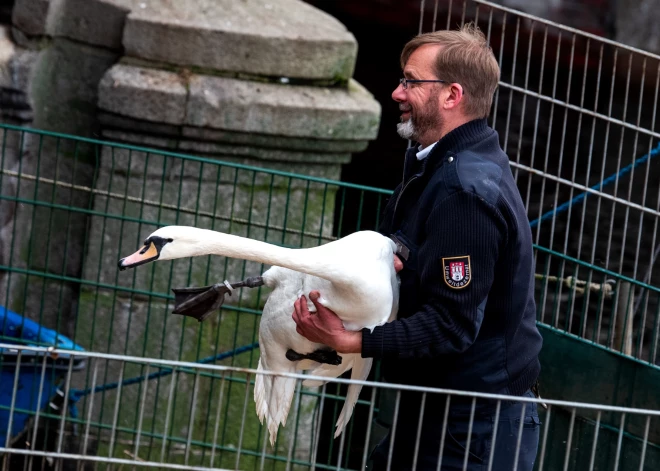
column 241, row 105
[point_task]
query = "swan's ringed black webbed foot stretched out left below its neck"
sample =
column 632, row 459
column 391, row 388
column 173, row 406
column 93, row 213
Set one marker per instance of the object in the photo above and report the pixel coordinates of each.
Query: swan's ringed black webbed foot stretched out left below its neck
column 200, row 302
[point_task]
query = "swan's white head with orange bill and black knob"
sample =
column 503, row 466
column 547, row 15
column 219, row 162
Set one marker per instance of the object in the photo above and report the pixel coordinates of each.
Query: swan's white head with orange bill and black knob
column 166, row 243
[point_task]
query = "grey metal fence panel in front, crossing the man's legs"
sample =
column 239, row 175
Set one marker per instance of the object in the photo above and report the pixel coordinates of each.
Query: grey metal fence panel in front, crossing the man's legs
column 573, row 435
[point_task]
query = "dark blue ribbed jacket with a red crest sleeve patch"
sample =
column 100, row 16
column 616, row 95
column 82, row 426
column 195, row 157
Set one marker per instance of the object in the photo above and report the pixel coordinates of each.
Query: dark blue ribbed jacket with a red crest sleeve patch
column 466, row 312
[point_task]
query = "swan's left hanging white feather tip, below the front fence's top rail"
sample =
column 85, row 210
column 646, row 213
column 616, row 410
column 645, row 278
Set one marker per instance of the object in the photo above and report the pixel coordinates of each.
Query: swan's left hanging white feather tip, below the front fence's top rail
column 273, row 395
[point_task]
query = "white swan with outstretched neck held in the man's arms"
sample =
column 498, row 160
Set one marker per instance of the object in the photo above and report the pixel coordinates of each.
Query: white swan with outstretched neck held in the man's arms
column 355, row 276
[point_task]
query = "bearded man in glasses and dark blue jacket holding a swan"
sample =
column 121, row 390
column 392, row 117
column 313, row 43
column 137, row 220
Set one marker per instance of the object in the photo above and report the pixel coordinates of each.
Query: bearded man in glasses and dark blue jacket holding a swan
column 466, row 312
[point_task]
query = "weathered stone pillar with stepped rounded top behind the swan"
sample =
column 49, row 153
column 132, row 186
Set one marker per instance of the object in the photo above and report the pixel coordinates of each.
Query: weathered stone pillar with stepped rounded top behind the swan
column 251, row 83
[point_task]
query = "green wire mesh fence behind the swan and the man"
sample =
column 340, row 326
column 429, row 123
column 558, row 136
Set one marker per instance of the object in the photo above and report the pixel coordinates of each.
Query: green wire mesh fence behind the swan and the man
column 71, row 207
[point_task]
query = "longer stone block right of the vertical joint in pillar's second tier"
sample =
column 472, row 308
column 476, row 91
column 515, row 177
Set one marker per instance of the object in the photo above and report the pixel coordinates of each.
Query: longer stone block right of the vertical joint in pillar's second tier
column 288, row 110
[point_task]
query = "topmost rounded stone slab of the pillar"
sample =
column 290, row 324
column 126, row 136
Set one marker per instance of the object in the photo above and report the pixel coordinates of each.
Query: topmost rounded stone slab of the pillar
column 283, row 38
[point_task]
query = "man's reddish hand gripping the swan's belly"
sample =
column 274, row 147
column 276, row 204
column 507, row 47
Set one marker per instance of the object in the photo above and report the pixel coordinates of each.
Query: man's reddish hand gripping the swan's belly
column 324, row 326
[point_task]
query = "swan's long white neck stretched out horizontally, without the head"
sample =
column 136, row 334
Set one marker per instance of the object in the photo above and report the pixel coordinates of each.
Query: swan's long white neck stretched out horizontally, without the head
column 206, row 242
